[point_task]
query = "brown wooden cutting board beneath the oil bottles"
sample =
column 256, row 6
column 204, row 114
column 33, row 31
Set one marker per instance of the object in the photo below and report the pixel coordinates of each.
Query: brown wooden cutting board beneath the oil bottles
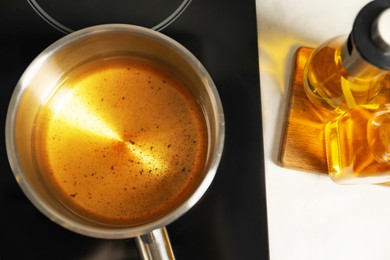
column 302, row 144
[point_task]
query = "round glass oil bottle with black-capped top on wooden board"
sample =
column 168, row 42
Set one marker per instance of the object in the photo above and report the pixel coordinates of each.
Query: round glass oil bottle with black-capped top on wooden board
column 348, row 71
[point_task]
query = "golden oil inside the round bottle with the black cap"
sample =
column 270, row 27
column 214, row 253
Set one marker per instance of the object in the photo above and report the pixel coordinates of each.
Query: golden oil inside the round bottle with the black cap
column 329, row 84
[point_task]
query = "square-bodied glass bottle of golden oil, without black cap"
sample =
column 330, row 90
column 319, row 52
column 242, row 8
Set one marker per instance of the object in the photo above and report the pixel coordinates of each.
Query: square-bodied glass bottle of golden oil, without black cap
column 358, row 145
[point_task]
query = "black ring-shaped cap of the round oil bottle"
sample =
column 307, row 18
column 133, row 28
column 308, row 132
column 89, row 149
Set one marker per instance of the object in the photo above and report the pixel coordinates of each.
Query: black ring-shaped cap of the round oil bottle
column 365, row 35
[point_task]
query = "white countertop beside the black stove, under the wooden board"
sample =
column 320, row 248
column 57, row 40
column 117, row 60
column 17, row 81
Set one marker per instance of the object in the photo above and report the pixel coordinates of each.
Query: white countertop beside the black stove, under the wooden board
column 309, row 216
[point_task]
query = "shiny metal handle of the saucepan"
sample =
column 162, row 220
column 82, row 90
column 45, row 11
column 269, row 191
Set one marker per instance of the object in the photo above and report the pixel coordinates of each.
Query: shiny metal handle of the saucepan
column 155, row 245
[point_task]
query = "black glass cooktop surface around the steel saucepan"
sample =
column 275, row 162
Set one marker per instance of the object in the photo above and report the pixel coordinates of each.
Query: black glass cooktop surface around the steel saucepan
column 230, row 221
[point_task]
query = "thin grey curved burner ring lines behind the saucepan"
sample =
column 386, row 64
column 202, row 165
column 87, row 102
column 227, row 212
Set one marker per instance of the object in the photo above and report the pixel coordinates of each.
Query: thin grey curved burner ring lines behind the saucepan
column 64, row 29
